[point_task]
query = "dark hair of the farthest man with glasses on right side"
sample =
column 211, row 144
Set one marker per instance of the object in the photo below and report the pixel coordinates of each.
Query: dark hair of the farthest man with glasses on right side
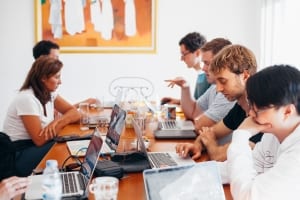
column 193, row 41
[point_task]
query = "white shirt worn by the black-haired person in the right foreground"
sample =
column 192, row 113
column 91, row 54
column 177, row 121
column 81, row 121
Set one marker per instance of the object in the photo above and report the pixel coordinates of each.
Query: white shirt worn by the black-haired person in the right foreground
column 271, row 171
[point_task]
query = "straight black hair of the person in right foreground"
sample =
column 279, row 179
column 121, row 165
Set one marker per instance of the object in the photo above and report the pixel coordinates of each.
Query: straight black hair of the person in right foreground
column 276, row 85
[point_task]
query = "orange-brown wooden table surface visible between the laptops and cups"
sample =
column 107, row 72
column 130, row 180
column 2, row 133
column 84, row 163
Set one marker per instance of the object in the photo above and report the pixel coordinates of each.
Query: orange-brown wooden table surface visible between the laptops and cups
column 131, row 187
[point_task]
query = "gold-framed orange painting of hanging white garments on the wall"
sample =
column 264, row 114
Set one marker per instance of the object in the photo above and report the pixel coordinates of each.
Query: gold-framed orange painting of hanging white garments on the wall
column 97, row 26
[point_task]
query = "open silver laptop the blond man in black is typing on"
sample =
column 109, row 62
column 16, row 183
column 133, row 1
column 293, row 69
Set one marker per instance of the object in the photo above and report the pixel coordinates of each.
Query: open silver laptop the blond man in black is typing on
column 159, row 159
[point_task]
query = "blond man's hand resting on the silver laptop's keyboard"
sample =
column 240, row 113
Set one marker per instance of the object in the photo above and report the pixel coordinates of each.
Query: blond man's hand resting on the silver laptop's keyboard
column 185, row 149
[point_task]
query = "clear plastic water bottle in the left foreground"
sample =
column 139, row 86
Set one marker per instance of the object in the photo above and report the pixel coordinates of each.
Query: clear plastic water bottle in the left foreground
column 52, row 184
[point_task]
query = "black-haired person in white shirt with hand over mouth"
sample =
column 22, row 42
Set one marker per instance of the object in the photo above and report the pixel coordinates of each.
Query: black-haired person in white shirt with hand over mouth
column 271, row 170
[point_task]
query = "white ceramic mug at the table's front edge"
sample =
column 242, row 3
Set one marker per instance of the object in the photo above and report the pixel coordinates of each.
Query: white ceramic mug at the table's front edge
column 104, row 188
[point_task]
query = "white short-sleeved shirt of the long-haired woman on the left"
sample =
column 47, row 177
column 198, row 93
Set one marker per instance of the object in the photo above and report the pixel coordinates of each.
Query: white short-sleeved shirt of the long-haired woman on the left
column 25, row 103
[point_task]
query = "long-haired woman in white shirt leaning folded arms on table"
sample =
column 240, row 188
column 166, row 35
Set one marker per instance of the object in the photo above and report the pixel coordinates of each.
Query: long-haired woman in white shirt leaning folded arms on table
column 30, row 122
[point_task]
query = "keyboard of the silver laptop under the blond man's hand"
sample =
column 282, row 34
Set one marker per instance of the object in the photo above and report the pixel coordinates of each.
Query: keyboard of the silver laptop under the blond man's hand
column 162, row 159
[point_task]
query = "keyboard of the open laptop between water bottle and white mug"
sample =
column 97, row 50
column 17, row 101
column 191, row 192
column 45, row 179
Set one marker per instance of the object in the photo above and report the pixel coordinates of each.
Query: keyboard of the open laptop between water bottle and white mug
column 69, row 182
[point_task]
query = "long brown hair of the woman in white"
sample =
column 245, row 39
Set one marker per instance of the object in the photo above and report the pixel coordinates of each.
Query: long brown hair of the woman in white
column 43, row 67
